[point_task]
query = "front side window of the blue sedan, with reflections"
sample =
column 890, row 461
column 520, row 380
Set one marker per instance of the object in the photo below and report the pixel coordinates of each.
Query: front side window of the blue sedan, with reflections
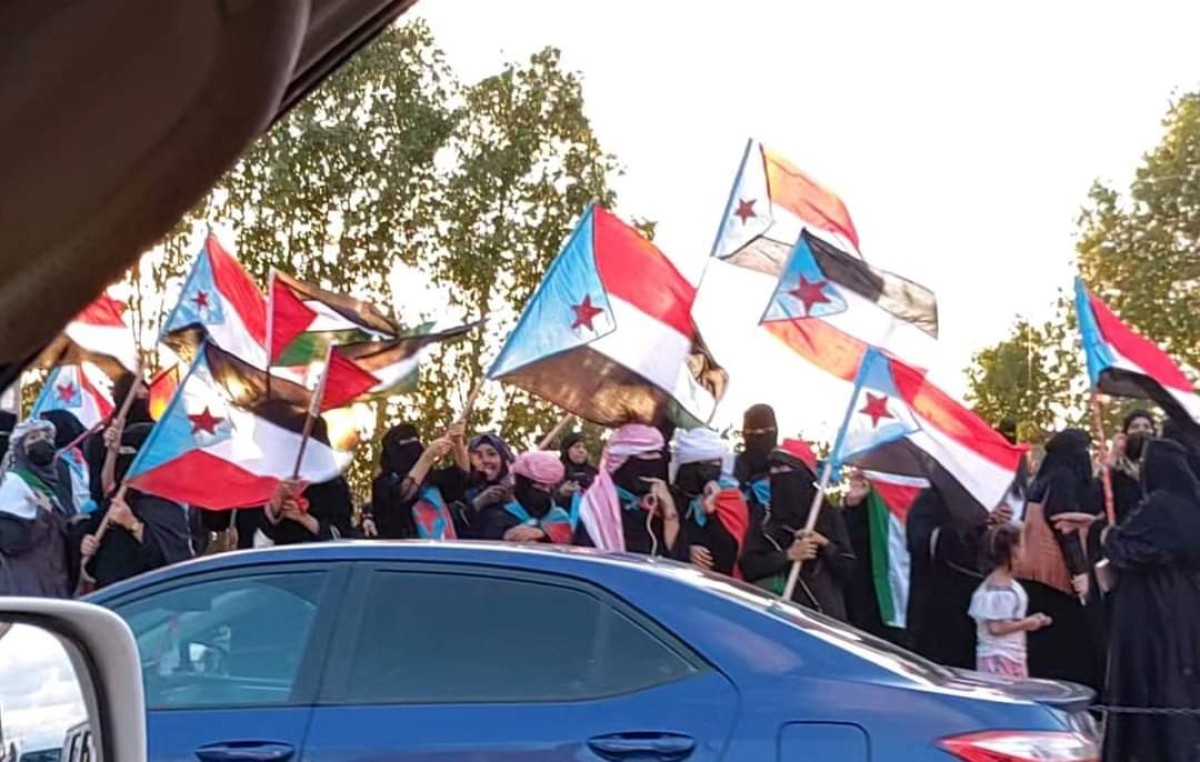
column 229, row 643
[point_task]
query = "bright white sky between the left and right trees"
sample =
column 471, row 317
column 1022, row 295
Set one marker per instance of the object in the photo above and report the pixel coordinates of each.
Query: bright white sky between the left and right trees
column 963, row 136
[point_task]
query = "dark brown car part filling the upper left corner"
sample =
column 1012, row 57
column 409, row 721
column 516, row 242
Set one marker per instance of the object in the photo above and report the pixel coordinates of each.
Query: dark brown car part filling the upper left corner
column 118, row 116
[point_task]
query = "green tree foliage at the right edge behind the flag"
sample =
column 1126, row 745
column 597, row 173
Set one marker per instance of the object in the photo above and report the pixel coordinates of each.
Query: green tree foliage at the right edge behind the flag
column 1139, row 253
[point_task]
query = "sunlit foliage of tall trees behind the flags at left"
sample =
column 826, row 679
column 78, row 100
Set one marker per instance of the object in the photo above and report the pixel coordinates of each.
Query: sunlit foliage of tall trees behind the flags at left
column 395, row 165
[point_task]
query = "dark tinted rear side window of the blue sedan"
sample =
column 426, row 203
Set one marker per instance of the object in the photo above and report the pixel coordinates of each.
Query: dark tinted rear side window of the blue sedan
column 441, row 638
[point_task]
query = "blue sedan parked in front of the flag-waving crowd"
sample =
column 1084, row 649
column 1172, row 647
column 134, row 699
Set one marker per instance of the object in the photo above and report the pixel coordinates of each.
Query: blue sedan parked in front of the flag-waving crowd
column 364, row 652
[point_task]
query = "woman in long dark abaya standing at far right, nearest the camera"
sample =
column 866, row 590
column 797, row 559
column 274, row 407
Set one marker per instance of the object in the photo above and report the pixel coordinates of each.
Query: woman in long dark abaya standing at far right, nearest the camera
column 1155, row 641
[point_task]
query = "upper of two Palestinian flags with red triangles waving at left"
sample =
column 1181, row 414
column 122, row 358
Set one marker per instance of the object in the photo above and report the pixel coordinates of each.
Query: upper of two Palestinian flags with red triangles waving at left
column 307, row 321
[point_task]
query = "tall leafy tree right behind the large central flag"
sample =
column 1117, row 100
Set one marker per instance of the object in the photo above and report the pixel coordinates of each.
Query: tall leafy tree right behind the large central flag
column 527, row 165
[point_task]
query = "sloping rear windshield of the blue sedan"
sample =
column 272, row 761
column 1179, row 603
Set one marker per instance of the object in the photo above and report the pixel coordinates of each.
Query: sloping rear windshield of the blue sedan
column 863, row 645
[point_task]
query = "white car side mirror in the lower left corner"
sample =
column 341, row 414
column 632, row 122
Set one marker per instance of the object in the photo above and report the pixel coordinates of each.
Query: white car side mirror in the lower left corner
column 70, row 681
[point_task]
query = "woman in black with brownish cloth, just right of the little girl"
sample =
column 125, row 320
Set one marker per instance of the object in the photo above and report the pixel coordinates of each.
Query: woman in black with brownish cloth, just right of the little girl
column 1067, row 651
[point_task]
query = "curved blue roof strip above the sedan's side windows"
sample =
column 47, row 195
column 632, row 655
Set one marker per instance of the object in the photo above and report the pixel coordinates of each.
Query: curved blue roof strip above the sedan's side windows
column 571, row 561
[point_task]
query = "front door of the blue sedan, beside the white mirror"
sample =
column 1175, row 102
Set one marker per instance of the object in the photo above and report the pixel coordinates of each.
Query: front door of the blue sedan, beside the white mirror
column 231, row 661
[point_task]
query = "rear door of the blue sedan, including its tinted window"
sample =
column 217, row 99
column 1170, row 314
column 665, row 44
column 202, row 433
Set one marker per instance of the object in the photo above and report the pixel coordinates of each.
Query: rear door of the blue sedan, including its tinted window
column 476, row 664
